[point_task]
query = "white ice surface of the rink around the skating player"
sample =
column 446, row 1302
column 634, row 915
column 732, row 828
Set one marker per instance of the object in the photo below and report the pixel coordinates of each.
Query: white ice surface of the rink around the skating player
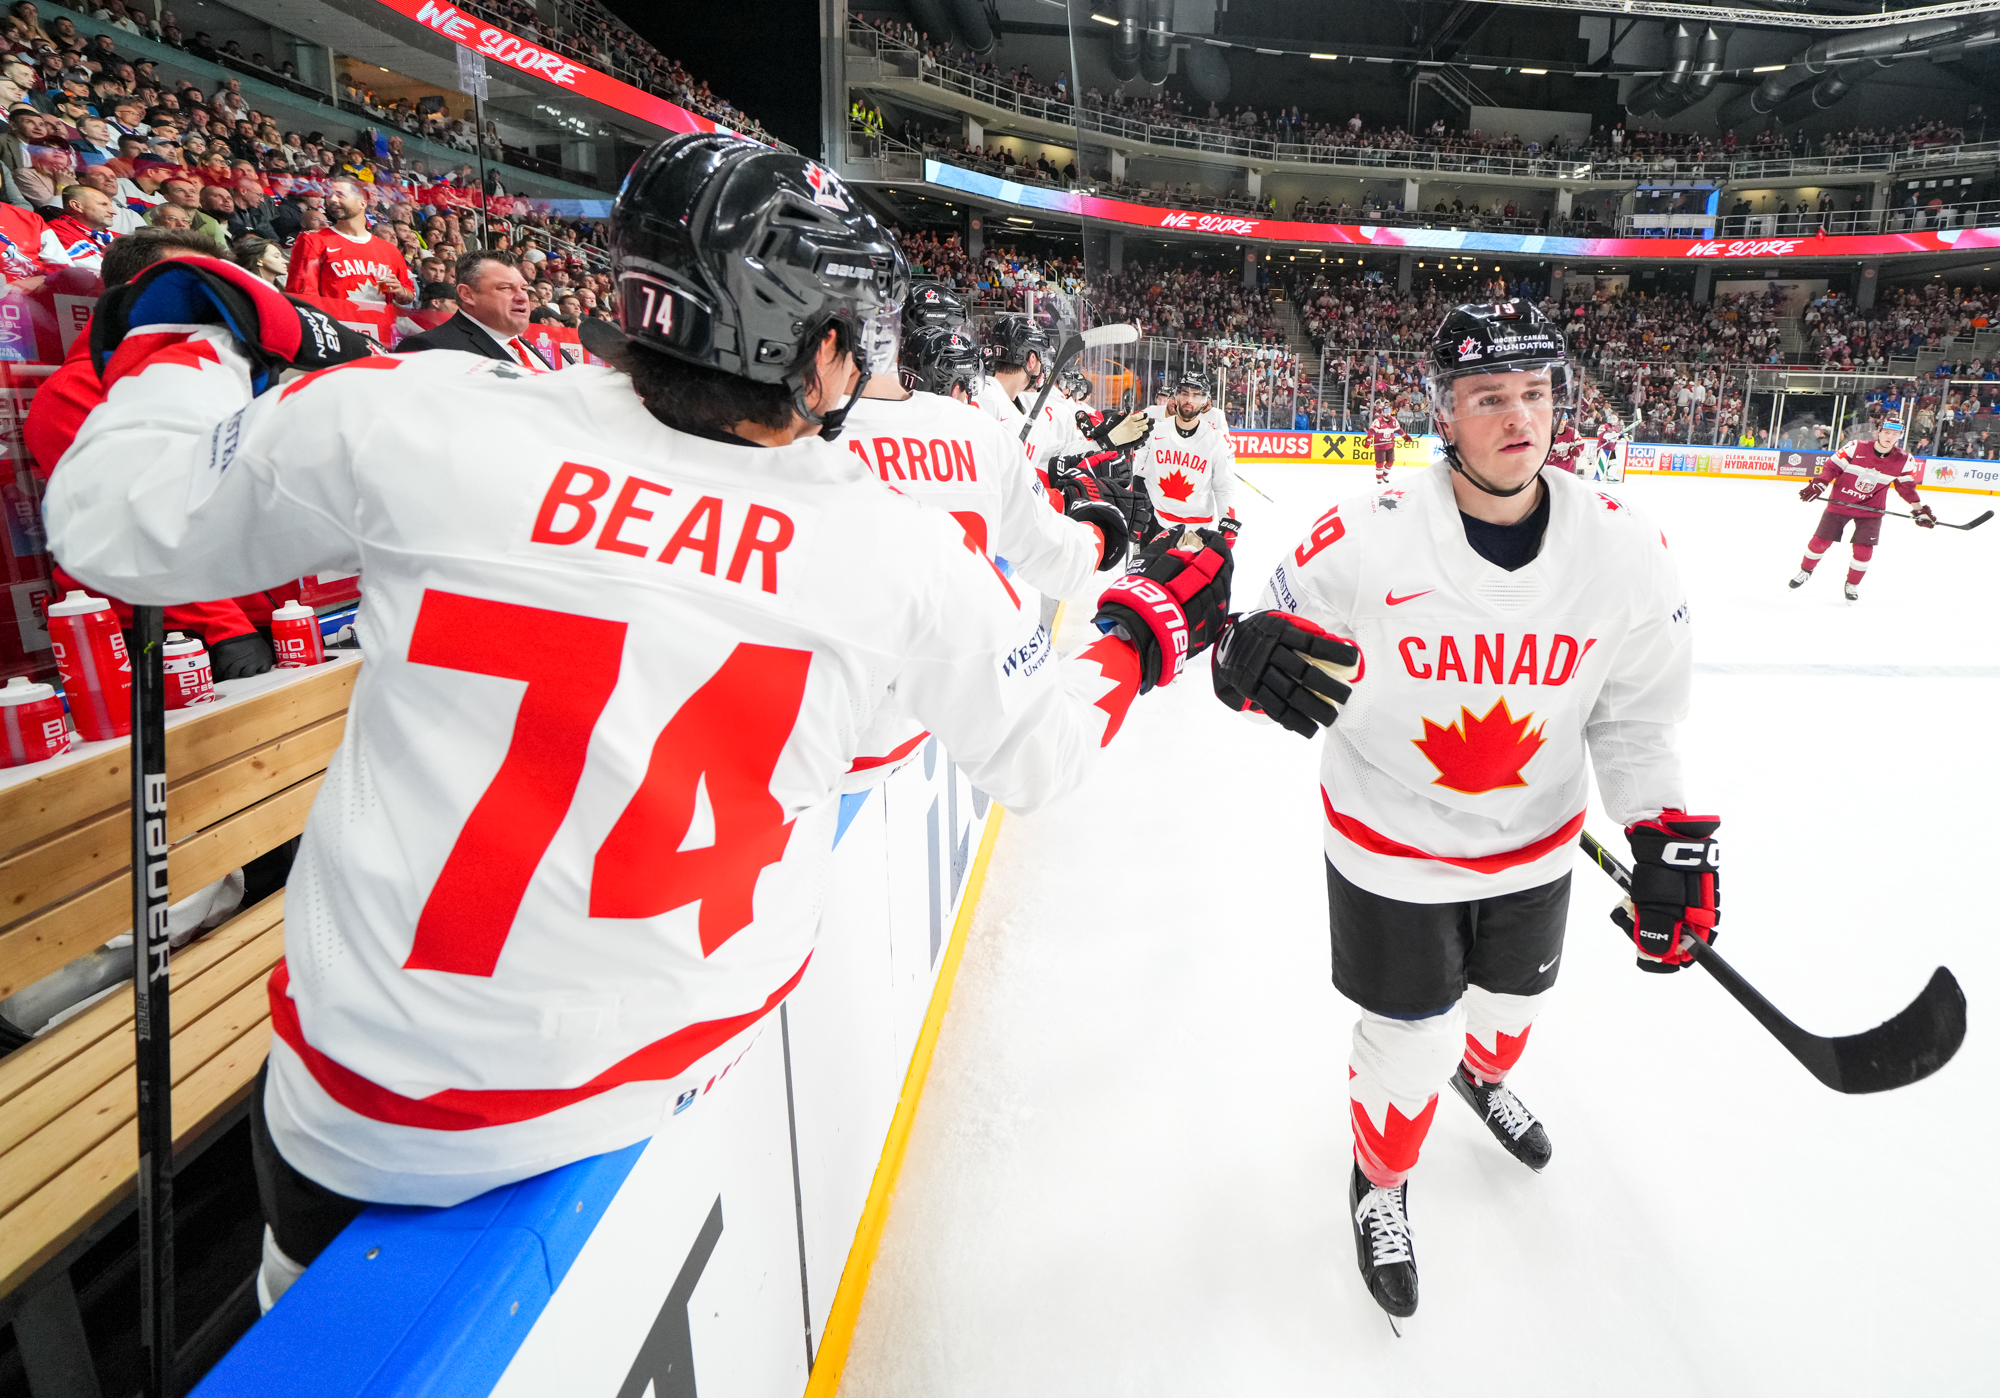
column 1129, row 1169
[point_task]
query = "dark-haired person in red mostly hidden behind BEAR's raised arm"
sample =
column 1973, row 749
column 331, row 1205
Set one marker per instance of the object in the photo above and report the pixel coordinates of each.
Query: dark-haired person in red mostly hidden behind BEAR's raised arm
column 59, row 411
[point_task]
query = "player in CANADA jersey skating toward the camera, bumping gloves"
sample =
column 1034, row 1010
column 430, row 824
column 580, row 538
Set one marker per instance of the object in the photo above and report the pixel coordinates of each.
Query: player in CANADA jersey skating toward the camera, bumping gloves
column 1495, row 625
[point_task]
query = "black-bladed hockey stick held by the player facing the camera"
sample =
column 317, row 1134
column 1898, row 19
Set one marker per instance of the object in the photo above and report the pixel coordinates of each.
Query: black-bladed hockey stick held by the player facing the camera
column 1905, row 1049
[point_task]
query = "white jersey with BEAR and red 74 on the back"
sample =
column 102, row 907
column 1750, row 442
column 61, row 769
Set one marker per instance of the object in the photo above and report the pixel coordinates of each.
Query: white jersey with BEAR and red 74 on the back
column 569, row 851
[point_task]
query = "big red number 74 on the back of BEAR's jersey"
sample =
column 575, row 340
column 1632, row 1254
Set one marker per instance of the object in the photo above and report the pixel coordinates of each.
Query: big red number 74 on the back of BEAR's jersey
column 729, row 735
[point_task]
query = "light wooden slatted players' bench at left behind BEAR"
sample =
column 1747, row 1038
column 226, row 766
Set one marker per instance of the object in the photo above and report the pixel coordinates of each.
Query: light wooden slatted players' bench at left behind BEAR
column 241, row 779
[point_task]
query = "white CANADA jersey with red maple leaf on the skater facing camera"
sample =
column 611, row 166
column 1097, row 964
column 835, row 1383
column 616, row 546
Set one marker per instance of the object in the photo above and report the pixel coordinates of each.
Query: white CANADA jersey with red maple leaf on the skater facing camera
column 1457, row 771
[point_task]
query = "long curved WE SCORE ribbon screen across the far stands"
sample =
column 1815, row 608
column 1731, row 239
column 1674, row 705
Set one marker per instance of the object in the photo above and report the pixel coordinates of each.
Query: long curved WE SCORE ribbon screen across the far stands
column 1285, row 231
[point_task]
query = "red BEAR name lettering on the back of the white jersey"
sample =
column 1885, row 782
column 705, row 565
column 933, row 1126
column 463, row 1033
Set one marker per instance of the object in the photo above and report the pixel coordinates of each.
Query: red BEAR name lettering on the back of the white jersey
column 589, row 515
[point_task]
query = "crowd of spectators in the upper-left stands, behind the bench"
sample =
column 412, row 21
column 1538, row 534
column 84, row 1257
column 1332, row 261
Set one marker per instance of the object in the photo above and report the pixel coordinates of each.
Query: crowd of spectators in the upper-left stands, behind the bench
column 99, row 147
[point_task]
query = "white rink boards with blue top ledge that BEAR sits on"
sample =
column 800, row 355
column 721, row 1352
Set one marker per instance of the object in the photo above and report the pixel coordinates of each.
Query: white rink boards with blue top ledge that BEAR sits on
column 709, row 1259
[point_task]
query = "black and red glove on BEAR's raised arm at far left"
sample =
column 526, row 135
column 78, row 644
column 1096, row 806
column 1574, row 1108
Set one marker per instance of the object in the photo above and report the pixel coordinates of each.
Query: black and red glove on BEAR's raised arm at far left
column 273, row 331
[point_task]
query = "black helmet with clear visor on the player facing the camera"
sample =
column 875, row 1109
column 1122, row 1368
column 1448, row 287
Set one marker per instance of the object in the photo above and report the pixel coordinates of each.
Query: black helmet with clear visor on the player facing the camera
column 1475, row 349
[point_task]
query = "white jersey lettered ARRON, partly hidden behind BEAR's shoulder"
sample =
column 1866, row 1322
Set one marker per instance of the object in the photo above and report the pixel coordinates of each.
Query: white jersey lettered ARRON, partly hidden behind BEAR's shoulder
column 959, row 459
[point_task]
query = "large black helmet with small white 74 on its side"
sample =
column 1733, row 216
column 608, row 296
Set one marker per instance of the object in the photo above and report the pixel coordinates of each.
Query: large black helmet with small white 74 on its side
column 739, row 259
